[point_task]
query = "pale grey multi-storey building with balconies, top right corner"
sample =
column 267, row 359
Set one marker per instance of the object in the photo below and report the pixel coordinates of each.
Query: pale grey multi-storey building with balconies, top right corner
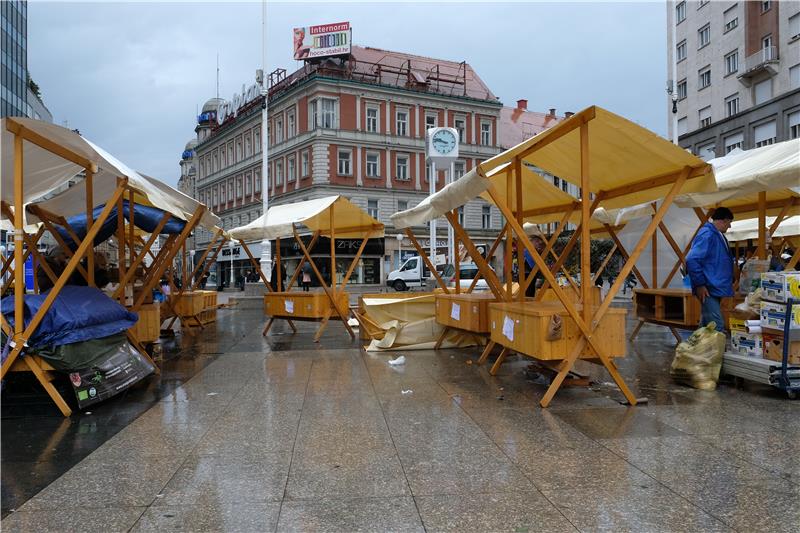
column 736, row 67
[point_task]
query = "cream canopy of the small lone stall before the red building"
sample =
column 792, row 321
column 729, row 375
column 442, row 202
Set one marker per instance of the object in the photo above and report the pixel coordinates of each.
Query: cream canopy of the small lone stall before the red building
column 348, row 220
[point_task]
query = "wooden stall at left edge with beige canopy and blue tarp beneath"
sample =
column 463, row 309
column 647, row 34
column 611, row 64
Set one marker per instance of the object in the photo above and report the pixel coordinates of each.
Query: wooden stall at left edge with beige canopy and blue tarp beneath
column 39, row 163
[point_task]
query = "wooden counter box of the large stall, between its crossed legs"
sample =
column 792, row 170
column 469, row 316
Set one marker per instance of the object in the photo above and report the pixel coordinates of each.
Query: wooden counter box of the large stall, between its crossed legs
column 528, row 330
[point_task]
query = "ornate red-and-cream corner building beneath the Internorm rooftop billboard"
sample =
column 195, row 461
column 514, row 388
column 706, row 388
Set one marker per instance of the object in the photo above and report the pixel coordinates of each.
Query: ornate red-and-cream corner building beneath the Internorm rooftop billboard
column 355, row 127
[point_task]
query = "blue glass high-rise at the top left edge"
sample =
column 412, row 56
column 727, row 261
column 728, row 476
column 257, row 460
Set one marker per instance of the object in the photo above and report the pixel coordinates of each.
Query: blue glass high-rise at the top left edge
column 14, row 73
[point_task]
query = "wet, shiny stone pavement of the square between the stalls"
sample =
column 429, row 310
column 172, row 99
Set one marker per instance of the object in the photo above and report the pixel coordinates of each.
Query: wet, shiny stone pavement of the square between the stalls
column 281, row 434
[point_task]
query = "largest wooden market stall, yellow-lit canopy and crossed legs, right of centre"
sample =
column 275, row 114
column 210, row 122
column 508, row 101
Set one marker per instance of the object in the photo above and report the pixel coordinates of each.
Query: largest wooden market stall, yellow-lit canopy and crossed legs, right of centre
column 617, row 164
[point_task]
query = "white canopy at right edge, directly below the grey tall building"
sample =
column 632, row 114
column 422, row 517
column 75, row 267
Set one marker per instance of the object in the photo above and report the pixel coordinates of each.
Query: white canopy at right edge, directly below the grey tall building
column 741, row 173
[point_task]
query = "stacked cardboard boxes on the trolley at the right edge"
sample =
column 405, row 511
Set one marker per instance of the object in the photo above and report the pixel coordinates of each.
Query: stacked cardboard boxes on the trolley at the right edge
column 764, row 337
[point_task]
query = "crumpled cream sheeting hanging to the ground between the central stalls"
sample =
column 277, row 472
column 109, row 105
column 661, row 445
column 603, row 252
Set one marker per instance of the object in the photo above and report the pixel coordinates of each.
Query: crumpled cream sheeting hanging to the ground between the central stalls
column 408, row 323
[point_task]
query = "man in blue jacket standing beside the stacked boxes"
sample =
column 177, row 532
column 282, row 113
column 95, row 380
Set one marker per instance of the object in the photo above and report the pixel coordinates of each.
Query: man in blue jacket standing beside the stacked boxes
column 710, row 265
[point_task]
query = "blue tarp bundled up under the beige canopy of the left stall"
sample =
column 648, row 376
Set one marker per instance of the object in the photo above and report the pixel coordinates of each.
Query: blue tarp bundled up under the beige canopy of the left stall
column 144, row 218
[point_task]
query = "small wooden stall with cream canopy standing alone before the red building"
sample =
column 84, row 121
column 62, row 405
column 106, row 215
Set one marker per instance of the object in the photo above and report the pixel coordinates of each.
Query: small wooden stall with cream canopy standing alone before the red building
column 333, row 217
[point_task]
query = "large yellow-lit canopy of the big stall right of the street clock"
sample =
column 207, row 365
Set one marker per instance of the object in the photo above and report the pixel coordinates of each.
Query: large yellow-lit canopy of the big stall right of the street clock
column 628, row 164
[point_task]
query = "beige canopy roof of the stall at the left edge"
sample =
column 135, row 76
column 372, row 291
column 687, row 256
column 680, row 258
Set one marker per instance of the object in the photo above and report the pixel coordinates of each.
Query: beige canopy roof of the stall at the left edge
column 44, row 172
